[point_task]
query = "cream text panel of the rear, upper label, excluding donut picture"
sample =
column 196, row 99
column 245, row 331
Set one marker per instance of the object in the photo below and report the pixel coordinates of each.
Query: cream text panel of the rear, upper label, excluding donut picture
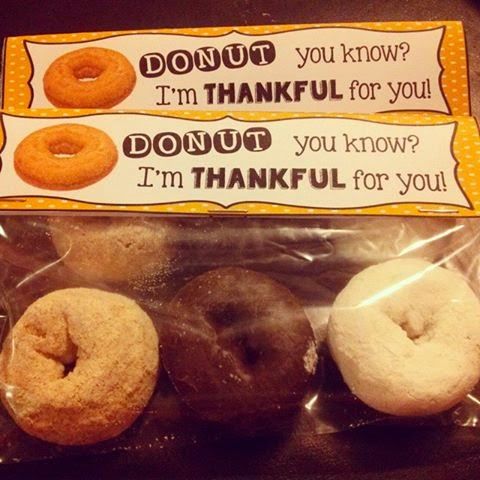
column 316, row 69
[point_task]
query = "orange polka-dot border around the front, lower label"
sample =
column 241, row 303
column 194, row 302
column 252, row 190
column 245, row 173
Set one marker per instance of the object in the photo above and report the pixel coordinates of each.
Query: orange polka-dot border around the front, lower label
column 466, row 149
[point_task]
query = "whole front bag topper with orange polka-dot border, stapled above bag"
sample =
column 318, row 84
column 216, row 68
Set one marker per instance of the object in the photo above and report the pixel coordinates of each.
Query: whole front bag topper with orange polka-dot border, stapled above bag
column 271, row 164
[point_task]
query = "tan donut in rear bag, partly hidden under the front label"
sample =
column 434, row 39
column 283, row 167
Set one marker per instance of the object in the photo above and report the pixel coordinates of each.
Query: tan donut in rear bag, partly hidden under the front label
column 114, row 249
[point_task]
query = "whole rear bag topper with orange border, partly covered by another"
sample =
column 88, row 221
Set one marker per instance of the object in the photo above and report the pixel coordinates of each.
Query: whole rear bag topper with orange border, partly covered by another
column 377, row 67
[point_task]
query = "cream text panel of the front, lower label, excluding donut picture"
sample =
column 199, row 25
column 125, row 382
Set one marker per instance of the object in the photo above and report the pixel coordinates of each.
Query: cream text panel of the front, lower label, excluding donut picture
column 330, row 163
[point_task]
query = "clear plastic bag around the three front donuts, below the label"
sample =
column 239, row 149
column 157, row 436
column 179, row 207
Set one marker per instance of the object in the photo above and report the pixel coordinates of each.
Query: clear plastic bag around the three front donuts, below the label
column 313, row 258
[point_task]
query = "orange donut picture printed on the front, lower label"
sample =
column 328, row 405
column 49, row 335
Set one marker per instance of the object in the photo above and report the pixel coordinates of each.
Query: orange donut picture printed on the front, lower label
column 65, row 157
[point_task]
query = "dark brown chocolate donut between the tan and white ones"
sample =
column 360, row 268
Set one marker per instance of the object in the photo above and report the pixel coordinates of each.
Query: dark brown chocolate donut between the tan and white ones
column 237, row 346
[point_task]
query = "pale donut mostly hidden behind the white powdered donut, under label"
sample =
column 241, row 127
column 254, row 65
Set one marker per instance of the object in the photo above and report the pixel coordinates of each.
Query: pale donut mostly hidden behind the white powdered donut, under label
column 364, row 241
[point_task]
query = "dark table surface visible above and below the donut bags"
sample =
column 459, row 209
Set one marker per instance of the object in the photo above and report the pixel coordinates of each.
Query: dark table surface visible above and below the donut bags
column 364, row 453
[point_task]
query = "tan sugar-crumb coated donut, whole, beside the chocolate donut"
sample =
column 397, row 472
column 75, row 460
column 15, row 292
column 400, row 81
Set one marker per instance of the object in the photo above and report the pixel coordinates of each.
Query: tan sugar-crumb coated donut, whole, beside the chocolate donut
column 79, row 366
